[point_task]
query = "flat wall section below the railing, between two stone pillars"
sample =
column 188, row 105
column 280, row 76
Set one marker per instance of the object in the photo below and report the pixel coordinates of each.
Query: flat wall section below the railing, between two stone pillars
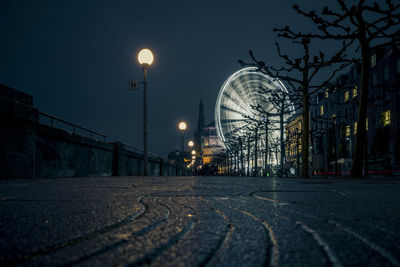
column 61, row 154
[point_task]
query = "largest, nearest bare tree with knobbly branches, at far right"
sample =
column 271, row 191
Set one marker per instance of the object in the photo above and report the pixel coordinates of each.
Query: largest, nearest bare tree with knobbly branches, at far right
column 369, row 23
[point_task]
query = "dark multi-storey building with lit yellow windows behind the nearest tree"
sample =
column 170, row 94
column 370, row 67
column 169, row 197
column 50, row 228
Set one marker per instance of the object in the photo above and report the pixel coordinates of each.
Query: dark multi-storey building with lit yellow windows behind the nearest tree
column 334, row 113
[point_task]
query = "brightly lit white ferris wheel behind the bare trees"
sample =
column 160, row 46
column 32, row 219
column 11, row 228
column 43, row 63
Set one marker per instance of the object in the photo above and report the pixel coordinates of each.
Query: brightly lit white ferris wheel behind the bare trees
column 236, row 100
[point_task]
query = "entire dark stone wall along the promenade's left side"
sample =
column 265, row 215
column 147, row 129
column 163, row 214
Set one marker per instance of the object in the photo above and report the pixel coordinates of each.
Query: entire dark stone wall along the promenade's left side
column 29, row 149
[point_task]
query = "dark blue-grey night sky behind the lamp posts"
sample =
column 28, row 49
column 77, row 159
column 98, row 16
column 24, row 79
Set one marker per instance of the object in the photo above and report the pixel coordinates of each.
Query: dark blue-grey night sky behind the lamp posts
column 76, row 58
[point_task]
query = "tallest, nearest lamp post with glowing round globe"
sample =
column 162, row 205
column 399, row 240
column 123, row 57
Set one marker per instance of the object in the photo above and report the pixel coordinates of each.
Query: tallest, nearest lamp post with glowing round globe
column 145, row 58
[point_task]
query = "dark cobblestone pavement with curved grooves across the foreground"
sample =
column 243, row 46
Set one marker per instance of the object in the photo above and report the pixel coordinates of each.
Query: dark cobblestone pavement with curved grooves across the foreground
column 196, row 221
